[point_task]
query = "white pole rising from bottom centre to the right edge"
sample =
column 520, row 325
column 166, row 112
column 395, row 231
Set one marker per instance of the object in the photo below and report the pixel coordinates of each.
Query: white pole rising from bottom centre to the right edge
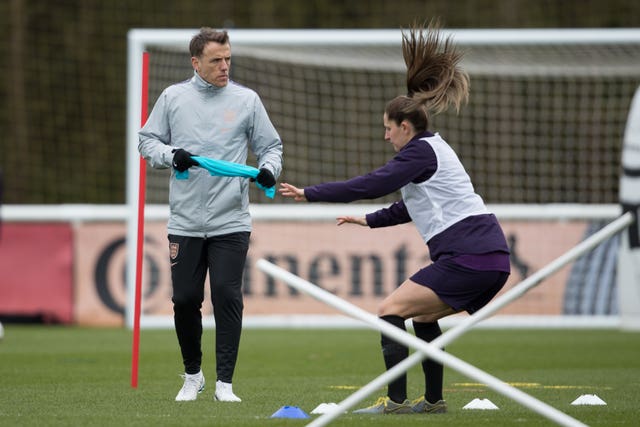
column 498, row 303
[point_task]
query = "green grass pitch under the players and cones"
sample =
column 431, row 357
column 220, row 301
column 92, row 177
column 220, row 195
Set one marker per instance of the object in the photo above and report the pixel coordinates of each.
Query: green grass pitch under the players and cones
column 68, row 376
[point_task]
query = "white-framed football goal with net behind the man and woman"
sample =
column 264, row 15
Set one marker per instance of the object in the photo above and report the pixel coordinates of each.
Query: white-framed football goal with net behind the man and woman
column 541, row 138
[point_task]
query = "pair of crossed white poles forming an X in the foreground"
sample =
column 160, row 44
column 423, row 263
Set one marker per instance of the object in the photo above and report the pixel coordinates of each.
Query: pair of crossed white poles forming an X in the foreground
column 450, row 335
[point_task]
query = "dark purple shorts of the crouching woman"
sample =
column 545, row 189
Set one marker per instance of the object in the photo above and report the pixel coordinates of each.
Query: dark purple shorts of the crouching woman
column 460, row 287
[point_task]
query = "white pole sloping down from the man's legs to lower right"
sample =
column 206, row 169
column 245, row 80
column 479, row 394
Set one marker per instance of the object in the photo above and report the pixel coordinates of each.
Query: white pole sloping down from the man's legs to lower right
column 416, row 343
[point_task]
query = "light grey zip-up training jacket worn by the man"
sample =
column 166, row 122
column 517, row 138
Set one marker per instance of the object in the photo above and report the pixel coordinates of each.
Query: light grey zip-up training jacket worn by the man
column 220, row 123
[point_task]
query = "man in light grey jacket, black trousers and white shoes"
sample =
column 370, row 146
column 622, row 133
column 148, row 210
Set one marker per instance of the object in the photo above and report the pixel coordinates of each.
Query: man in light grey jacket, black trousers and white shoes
column 209, row 223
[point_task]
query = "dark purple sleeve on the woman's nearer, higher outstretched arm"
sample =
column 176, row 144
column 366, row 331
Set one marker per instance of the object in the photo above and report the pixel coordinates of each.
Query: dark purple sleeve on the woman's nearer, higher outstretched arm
column 415, row 161
